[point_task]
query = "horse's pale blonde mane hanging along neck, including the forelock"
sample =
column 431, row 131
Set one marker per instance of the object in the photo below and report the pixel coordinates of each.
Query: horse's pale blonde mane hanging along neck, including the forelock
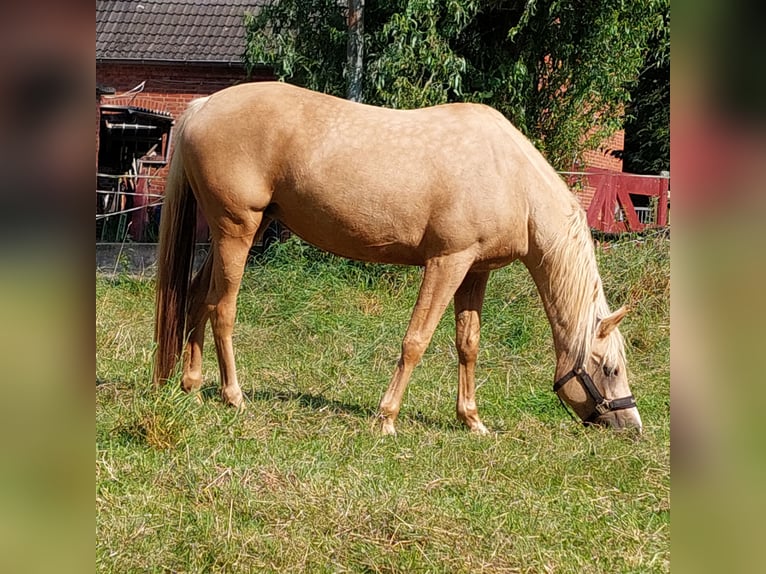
column 575, row 284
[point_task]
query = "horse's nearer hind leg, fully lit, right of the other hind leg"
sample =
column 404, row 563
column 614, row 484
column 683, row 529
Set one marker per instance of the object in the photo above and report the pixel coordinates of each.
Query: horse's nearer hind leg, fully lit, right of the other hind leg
column 229, row 258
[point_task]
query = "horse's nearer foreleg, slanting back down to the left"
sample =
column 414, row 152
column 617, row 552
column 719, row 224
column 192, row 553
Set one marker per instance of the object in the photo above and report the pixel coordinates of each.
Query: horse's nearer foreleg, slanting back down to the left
column 440, row 280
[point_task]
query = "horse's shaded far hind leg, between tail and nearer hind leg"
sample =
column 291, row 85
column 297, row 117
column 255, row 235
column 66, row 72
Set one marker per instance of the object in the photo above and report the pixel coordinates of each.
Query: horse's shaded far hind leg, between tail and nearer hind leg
column 197, row 318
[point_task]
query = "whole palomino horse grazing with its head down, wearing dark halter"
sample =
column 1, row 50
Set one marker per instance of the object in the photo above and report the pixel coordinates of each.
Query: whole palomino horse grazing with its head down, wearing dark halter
column 455, row 189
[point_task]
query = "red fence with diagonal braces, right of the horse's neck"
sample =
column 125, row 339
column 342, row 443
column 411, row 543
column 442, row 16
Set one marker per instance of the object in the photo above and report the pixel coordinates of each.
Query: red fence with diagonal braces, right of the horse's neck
column 625, row 202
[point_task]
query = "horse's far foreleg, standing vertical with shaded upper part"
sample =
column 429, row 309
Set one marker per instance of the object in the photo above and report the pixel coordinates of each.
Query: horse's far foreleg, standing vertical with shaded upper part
column 468, row 302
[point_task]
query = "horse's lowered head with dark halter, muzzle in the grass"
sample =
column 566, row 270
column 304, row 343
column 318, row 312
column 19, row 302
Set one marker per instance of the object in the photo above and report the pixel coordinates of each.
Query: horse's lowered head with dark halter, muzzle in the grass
column 598, row 389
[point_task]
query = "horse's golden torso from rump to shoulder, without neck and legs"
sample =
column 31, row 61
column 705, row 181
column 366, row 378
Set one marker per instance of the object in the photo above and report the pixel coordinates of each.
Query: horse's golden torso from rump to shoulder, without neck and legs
column 364, row 181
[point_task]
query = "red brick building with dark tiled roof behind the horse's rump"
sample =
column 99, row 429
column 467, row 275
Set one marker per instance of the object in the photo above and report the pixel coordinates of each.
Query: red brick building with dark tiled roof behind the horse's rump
column 152, row 58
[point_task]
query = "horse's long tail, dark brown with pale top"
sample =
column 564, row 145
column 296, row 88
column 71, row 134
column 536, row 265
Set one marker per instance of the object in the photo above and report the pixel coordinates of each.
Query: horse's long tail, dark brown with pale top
column 175, row 255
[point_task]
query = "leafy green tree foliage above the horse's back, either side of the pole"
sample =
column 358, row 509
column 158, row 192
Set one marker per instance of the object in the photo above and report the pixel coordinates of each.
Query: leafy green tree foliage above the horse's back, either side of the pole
column 560, row 70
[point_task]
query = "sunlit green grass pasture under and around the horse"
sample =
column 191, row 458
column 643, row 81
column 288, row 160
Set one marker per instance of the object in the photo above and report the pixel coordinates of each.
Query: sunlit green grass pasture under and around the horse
column 299, row 481
